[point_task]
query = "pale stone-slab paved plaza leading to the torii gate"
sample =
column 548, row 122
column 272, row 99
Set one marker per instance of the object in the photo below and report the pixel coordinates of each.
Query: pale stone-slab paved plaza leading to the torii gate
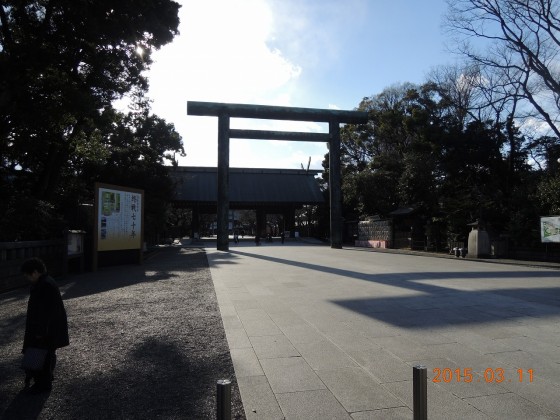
column 321, row 333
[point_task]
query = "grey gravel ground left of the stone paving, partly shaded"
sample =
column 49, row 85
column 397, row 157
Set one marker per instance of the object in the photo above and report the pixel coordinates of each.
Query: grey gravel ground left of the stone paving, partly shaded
column 146, row 342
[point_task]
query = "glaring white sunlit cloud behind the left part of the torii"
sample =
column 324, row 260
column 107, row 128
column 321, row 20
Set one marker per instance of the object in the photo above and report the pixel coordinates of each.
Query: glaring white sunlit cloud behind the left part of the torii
column 223, row 54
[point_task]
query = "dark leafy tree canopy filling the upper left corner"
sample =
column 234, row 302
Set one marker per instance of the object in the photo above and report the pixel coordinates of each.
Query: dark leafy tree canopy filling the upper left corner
column 62, row 66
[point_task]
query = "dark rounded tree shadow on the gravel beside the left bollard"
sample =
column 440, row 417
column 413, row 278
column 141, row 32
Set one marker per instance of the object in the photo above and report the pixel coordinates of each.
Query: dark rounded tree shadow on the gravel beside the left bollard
column 157, row 379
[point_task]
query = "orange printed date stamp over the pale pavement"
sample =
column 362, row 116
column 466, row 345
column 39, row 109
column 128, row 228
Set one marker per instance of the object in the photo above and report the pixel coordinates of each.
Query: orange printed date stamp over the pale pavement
column 491, row 375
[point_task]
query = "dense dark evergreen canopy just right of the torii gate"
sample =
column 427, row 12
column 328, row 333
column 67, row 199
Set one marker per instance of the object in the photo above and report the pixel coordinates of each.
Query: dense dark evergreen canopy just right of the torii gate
column 418, row 150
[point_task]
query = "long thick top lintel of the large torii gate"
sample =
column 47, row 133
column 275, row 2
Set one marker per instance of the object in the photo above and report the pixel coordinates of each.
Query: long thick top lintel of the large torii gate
column 215, row 109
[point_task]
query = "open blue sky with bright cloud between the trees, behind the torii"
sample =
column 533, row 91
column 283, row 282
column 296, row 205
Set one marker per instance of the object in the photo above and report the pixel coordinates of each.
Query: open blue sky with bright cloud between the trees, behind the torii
column 302, row 53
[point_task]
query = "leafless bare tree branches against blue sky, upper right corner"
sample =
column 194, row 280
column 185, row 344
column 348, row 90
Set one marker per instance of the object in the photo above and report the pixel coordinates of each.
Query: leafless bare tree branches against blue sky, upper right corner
column 517, row 44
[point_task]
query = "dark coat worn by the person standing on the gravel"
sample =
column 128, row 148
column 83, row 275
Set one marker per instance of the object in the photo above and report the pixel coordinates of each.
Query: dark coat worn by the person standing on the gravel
column 46, row 325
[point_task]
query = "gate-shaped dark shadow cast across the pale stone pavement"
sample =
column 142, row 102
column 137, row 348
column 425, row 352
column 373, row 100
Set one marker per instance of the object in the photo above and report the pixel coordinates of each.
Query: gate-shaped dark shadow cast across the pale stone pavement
column 437, row 304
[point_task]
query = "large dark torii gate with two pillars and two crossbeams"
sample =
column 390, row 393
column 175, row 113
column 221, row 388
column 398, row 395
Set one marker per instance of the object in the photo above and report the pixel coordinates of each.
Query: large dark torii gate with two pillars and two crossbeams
column 225, row 111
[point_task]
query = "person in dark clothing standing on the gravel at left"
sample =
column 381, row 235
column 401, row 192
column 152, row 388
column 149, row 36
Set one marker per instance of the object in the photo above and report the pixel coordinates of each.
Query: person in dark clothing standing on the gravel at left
column 46, row 325
